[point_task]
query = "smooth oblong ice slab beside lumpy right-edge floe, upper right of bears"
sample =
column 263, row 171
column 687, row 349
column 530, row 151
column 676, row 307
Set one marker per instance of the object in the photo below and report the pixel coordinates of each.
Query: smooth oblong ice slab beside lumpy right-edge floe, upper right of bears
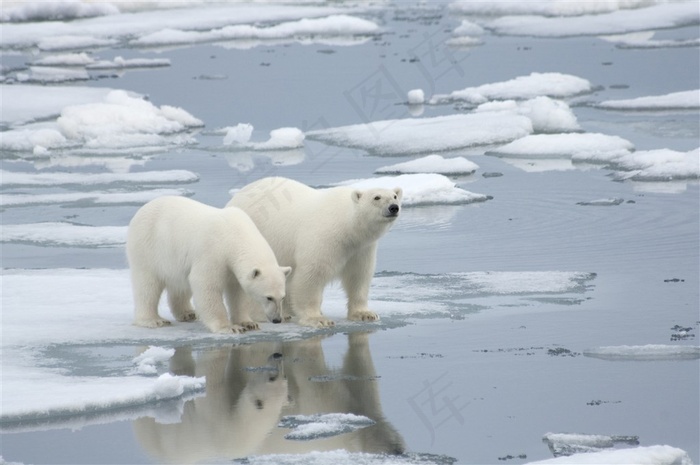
column 565, row 145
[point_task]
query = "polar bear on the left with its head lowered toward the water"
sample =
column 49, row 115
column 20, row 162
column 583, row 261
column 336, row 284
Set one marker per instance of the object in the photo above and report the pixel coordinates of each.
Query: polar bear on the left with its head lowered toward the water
column 194, row 250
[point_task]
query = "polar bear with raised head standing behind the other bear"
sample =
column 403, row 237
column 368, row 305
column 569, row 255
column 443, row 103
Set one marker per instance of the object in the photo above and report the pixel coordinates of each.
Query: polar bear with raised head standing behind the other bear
column 324, row 234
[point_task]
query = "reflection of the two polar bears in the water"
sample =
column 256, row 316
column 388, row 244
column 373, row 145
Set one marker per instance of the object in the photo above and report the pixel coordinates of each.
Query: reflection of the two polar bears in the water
column 250, row 388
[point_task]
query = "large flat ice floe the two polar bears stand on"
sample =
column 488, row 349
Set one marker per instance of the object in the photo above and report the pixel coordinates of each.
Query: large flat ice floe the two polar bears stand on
column 94, row 306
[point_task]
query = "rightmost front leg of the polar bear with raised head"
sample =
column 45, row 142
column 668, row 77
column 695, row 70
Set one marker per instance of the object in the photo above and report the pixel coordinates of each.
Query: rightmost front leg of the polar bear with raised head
column 356, row 277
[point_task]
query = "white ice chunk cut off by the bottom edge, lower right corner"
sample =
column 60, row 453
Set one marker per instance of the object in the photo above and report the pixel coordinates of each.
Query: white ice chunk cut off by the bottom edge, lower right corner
column 652, row 455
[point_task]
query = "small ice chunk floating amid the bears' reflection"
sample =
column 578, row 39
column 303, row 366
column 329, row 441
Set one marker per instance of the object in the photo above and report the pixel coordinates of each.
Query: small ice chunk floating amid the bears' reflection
column 309, row 427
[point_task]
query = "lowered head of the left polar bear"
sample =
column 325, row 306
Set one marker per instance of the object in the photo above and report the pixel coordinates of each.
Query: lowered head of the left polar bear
column 267, row 287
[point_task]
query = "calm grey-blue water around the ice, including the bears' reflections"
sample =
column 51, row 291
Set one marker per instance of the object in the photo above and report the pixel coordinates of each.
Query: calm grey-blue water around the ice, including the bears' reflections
column 483, row 387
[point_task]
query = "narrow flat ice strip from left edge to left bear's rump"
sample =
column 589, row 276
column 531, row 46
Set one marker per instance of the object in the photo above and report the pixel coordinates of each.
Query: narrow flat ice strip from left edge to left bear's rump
column 64, row 234
